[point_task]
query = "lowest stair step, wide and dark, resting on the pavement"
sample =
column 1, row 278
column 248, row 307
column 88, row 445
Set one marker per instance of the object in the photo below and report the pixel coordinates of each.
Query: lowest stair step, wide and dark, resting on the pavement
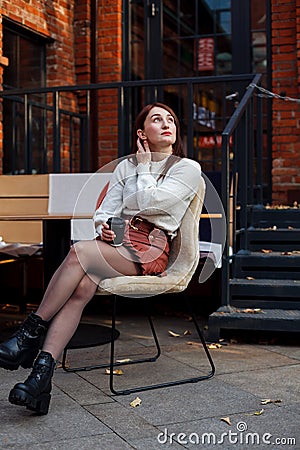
column 266, row 320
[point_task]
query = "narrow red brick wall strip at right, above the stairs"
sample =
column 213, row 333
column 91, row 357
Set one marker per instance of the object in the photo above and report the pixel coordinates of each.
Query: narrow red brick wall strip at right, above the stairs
column 286, row 114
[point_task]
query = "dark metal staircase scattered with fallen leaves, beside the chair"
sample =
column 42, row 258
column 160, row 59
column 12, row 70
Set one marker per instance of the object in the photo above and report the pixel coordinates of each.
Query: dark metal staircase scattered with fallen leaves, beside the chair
column 261, row 278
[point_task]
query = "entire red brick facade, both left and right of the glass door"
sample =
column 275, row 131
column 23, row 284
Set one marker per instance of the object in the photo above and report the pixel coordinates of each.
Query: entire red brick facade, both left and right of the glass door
column 69, row 62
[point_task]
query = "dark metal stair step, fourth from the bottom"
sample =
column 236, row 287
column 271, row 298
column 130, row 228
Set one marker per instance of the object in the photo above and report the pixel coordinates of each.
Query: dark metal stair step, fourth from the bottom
column 278, row 240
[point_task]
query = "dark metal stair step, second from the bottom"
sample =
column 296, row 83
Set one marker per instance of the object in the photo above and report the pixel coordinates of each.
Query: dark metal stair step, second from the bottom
column 263, row 293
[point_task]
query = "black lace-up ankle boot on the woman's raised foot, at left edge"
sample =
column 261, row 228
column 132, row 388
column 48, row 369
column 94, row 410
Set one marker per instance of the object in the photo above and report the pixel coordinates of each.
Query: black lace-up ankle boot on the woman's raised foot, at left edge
column 21, row 349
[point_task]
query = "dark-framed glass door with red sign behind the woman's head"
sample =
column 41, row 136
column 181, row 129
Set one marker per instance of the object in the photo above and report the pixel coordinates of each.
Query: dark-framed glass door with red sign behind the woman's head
column 180, row 39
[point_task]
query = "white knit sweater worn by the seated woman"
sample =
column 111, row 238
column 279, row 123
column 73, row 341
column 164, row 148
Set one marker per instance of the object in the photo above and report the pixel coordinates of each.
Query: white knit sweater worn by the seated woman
column 136, row 190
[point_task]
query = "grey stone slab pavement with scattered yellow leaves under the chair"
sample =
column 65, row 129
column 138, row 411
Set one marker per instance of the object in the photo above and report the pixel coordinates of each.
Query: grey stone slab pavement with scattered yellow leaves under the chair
column 223, row 412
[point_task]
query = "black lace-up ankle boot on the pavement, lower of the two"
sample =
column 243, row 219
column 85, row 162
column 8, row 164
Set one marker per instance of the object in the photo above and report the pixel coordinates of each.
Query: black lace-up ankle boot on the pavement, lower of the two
column 34, row 393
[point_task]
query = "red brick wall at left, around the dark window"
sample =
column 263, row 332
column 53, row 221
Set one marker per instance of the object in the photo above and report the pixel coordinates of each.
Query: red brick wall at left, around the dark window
column 68, row 59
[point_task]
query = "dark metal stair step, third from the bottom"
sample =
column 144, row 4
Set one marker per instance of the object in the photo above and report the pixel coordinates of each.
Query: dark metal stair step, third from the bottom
column 274, row 265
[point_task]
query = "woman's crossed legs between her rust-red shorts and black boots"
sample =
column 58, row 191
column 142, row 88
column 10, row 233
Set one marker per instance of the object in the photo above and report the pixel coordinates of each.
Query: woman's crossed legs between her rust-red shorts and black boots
column 100, row 261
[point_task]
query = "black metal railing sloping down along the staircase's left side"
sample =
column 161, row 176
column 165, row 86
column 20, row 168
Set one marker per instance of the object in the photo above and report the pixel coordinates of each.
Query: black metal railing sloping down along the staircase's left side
column 242, row 183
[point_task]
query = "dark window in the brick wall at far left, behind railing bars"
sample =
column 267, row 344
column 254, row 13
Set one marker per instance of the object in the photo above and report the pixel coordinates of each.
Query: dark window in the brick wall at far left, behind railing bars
column 23, row 149
